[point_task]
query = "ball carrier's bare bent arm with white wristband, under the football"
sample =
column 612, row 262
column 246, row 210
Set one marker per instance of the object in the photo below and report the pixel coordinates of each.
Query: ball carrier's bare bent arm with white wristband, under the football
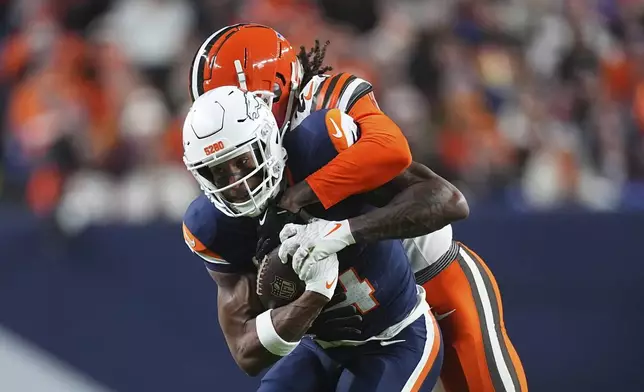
column 242, row 321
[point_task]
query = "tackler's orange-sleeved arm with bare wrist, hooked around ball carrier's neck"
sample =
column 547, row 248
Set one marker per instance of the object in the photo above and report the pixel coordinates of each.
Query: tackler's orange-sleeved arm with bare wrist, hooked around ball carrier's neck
column 380, row 154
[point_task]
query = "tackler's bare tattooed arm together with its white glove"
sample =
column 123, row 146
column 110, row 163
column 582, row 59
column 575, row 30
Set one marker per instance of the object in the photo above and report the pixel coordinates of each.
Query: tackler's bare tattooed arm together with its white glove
column 416, row 203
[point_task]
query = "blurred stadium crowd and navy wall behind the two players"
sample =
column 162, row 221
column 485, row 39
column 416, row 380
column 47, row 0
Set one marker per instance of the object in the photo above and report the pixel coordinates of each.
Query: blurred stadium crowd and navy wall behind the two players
column 534, row 108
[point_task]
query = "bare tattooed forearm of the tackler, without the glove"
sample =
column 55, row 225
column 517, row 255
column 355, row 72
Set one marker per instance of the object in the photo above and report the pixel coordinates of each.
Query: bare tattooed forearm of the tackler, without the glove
column 418, row 202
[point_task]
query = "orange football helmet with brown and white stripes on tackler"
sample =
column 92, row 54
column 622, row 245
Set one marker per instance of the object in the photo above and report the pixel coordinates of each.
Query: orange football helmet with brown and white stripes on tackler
column 253, row 57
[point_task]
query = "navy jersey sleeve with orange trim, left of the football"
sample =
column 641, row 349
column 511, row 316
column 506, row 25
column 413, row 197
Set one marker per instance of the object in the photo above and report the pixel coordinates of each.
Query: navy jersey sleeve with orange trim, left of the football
column 202, row 233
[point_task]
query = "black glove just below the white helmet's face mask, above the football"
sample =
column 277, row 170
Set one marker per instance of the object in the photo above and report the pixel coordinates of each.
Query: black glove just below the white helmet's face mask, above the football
column 270, row 225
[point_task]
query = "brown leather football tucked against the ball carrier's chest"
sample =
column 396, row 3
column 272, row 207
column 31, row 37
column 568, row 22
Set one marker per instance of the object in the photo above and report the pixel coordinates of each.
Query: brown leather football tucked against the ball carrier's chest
column 277, row 283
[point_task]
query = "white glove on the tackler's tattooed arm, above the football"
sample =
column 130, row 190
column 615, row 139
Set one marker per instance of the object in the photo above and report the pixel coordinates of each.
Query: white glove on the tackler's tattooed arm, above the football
column 314, row 241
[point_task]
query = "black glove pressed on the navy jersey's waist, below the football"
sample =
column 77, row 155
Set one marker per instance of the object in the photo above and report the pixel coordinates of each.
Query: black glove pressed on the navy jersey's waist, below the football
column 344, row 323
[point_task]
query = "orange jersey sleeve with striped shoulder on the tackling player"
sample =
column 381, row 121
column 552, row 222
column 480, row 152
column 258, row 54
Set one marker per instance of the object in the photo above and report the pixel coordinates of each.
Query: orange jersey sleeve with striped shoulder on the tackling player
column 379, row 154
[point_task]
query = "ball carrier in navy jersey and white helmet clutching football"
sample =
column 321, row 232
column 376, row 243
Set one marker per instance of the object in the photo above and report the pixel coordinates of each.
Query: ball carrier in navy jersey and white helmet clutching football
column 238, row 155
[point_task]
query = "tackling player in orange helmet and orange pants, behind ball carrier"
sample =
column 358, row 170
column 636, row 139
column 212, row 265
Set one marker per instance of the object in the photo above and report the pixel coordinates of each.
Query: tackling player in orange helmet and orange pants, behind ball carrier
column 420, row 205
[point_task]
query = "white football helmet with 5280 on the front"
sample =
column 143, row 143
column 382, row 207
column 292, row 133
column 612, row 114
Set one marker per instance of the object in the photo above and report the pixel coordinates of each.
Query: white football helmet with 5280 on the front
column 233, row 147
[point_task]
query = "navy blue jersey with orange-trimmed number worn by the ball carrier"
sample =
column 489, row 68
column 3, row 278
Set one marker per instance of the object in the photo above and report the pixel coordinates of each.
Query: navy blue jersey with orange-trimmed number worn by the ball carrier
column 377, row 277
